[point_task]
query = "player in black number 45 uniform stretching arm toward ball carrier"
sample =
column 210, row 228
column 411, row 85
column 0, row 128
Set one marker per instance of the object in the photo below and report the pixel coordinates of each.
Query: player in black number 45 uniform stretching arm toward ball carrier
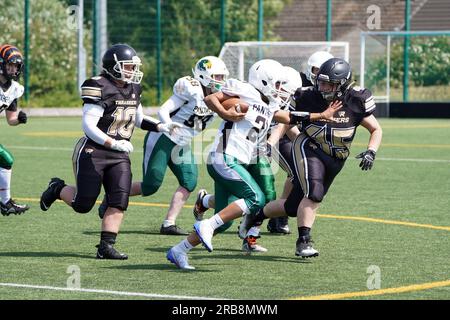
column 320, row 151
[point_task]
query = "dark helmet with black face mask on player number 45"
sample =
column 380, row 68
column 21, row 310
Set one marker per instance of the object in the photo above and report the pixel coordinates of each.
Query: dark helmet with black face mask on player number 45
column 334, row 71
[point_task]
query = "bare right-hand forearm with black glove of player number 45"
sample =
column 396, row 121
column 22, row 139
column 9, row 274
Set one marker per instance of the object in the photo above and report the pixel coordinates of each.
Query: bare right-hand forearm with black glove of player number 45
column 368, row 157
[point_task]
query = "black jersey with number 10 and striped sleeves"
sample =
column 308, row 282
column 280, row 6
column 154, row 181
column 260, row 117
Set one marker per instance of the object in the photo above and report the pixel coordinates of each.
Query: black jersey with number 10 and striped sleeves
column 119, row 104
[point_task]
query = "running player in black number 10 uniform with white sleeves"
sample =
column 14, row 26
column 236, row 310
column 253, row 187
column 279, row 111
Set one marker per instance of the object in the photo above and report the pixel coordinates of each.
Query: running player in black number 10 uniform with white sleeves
column 111, row 110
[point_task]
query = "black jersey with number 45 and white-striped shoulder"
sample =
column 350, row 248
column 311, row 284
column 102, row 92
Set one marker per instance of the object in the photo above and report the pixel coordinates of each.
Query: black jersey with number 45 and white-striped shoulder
column 335, row 138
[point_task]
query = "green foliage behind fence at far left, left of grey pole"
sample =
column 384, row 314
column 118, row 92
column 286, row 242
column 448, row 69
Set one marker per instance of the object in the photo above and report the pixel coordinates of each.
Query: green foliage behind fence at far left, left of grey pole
column 53, row 49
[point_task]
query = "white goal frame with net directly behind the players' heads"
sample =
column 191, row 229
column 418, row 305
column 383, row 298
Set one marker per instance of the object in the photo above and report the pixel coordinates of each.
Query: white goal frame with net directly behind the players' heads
column 239, row 56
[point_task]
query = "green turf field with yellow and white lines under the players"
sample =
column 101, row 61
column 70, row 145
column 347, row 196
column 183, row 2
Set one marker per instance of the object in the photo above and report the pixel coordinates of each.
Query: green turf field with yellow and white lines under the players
column 395, row 217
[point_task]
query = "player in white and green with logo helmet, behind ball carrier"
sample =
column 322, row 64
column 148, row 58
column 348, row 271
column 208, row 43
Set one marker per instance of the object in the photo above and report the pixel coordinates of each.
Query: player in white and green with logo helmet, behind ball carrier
column 187, row 109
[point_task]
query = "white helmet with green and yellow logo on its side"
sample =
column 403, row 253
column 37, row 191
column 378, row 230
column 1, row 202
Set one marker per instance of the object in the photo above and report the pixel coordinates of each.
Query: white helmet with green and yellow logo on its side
column 211, row 72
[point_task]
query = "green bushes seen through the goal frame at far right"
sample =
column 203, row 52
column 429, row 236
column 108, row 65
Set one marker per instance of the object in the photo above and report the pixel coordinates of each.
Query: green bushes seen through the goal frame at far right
column 429, row 63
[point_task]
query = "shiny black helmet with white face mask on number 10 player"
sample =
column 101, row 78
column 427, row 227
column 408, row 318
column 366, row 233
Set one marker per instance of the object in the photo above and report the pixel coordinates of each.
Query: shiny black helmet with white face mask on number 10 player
column 122, row 63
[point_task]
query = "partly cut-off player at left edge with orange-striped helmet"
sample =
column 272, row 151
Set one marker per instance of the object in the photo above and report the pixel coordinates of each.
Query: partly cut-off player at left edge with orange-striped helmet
column 11, row 65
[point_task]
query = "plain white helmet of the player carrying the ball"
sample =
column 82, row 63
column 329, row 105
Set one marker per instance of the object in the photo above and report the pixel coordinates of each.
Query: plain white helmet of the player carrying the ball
column 267, row 76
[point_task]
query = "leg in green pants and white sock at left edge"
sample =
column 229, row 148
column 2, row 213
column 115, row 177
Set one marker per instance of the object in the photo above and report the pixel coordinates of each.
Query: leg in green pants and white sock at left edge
column 7, row 204
